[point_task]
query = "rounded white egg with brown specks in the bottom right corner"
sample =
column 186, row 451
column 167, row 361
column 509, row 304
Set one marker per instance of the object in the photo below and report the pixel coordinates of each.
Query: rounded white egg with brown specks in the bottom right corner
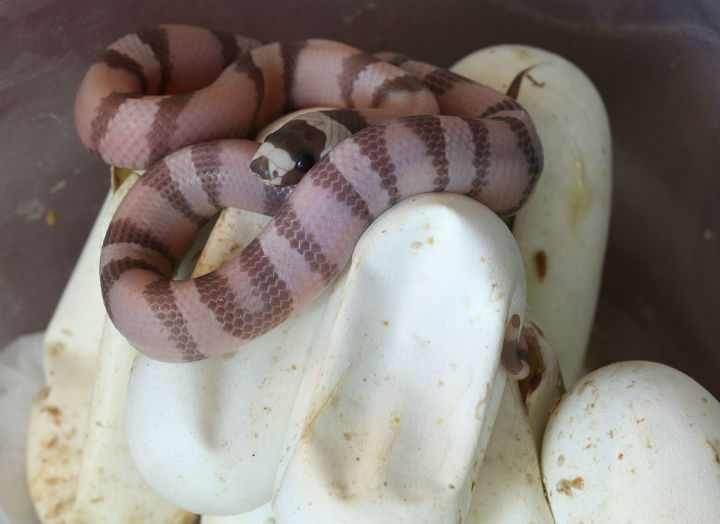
column 632, row 442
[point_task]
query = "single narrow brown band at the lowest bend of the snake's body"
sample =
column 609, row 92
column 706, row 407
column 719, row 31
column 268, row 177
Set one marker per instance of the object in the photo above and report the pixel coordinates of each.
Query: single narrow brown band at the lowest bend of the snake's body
column 162, row 302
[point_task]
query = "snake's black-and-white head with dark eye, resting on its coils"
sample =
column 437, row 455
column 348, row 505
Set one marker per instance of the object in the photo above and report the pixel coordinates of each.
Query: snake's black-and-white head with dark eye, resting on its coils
column 289, row 153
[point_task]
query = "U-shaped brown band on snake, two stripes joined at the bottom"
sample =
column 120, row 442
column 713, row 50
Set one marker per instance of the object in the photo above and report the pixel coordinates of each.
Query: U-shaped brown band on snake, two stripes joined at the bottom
column 217, row 295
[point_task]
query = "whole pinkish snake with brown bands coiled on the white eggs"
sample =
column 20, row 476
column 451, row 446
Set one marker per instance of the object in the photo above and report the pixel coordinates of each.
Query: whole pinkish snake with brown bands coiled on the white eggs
column 181, row 101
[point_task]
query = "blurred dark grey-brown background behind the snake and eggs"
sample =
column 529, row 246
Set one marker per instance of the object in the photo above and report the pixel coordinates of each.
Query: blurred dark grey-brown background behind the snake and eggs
column 656, row 64
